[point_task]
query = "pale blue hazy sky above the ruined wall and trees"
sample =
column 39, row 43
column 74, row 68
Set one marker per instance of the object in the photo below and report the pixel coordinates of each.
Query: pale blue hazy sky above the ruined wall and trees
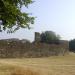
column 51, row 15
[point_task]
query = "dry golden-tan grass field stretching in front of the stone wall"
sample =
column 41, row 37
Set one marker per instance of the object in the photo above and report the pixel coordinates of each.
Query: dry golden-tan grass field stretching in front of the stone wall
column 55, row 65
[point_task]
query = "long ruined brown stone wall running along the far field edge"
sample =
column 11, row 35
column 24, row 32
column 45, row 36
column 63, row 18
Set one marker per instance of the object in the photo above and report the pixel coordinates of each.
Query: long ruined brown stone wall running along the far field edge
column 18, row 49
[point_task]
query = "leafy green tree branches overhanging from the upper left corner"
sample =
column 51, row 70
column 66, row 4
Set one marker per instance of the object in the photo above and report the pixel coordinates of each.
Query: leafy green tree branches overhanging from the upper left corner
column 11, row 16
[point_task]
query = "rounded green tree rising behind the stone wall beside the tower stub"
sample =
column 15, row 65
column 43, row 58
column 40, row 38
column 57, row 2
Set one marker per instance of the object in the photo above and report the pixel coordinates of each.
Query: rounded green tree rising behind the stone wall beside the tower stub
column 50, row 37
